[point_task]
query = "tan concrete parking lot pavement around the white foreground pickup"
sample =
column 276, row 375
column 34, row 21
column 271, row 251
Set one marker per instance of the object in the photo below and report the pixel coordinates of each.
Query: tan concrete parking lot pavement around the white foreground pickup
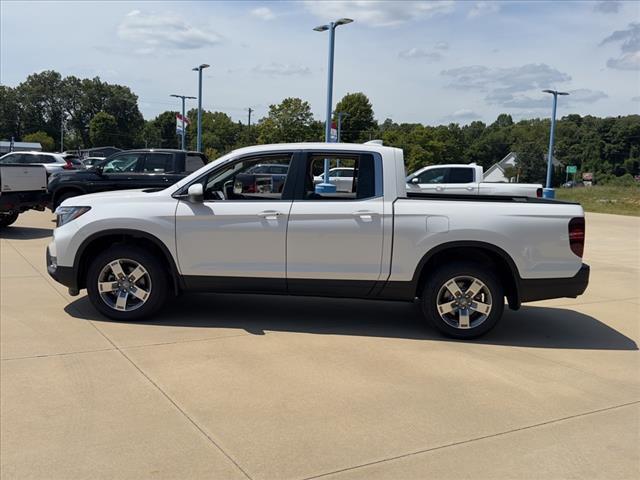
column 223, row 386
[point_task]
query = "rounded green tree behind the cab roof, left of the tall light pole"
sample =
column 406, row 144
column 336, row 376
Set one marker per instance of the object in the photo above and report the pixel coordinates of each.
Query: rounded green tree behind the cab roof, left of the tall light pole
column 289, row 121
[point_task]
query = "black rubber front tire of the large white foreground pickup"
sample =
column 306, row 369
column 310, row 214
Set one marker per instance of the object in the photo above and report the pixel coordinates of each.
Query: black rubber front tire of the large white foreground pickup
column 158, row 282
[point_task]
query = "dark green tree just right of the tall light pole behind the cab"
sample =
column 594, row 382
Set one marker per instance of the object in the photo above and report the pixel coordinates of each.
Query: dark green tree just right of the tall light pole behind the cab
column 359, row 121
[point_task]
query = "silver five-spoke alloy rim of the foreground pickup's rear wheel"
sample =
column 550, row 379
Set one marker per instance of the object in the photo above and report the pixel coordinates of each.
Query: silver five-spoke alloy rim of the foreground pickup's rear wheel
column 464, row 302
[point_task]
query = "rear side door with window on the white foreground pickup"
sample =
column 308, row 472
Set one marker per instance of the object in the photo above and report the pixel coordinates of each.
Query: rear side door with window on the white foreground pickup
column 335, row 240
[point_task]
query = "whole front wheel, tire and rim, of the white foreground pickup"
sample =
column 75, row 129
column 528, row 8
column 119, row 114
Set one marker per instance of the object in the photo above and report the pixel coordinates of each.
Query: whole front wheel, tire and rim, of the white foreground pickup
column 127, row 283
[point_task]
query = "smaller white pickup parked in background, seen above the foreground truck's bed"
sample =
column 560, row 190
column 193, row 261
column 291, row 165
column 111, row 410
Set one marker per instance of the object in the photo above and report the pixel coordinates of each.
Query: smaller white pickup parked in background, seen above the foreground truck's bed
column 466, row 180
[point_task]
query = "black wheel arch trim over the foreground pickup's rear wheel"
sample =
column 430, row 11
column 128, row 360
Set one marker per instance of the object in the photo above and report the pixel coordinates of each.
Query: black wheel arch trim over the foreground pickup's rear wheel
column 479, row 252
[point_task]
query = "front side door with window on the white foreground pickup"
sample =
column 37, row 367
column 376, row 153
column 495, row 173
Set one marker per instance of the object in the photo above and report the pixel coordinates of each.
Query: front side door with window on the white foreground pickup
column 236, row 239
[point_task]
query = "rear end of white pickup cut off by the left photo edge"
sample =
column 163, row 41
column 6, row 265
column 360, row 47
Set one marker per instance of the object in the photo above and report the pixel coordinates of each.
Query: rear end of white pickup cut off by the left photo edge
column 22, row 187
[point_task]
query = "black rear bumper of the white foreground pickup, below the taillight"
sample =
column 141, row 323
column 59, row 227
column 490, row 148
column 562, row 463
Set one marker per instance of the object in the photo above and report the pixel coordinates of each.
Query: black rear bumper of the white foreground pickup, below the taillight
column 546, row 288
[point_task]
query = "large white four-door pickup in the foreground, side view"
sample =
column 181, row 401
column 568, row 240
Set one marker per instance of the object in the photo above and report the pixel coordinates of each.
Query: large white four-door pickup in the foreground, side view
column 458, row 256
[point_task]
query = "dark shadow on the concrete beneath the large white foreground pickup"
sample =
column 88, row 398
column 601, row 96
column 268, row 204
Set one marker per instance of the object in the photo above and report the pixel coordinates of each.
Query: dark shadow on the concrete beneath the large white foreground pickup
column 538, row 327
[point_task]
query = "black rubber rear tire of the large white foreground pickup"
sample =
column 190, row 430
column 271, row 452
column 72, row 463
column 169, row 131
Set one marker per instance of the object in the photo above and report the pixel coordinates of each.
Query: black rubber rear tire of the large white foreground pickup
column 492, row 291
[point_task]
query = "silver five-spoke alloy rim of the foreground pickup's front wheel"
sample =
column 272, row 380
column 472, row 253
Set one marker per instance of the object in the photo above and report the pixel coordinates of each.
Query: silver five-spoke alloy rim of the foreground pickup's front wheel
column 124, row 285
